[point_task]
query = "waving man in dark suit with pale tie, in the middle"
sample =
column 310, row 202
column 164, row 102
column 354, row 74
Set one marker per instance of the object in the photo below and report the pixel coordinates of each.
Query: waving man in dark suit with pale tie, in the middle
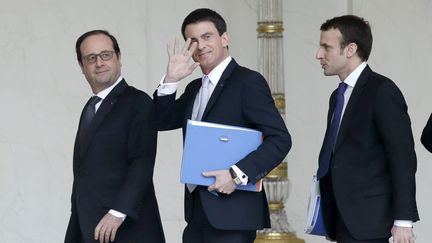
column 232, row 95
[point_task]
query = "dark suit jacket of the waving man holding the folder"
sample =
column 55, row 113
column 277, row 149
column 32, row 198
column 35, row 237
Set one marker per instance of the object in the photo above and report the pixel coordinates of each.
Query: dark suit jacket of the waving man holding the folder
column 241, row 98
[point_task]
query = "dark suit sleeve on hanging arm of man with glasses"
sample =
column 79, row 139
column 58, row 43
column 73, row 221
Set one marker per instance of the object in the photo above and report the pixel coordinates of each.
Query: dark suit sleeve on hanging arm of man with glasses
column 141, row 152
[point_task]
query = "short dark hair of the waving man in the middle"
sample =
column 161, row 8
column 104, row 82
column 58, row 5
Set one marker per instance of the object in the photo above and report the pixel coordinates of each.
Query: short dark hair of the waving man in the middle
column 204, row 14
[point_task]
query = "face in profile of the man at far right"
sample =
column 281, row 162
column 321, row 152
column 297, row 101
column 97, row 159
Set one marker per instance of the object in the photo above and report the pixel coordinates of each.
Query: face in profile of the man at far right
column 332, row 58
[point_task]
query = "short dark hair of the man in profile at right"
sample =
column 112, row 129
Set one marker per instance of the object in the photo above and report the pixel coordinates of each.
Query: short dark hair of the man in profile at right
column 354, row 29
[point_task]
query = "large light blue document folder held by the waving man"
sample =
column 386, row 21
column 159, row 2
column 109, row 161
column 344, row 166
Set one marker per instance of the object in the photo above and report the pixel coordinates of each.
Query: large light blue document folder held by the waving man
column 210, row 146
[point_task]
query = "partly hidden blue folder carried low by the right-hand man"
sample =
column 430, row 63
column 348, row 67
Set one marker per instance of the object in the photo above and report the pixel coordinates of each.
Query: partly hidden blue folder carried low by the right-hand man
column 314, row 219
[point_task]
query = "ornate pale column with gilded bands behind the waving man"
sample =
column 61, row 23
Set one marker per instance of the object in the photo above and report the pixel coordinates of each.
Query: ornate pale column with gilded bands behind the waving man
column 271, row 65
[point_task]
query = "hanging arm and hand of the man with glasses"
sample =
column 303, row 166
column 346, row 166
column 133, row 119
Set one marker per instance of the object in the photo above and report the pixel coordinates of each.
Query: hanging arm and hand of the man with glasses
column 141, row 150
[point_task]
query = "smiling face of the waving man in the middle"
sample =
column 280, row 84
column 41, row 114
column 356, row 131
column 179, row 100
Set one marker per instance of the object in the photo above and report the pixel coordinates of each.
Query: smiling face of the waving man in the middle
column 212, row 48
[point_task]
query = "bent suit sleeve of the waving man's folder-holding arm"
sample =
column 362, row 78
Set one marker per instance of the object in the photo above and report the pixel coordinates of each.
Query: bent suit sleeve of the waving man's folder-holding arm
column 261, row 113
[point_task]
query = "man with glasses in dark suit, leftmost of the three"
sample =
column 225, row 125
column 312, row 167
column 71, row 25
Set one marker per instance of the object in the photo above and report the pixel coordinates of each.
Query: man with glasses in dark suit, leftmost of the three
column 113, row 198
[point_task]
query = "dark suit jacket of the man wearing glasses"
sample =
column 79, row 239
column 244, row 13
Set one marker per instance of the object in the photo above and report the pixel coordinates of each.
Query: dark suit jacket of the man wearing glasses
column 113, row 169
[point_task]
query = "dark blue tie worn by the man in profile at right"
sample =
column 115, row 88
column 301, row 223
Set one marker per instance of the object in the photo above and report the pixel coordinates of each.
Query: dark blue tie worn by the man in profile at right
column 331, row 135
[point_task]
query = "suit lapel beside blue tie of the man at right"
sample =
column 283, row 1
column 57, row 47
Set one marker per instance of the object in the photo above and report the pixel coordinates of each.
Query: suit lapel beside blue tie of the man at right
column 351, row 106
